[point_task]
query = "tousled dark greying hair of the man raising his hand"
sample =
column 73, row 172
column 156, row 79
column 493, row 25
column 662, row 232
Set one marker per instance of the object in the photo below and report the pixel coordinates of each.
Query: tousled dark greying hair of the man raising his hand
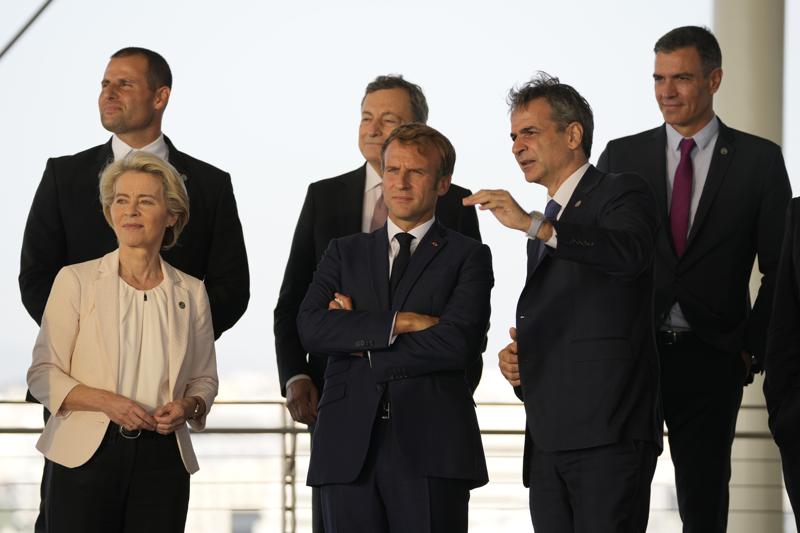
column 566, row 104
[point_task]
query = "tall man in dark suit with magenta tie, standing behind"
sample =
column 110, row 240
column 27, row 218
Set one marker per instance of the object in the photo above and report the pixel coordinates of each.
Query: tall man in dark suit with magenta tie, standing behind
column 722, row 195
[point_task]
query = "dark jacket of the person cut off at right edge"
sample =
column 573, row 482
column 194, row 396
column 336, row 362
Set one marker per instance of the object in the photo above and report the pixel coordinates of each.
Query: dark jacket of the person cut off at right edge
column 782, row 364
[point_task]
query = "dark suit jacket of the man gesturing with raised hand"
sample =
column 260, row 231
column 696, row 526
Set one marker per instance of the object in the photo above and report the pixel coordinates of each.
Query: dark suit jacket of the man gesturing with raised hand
column 587, row 355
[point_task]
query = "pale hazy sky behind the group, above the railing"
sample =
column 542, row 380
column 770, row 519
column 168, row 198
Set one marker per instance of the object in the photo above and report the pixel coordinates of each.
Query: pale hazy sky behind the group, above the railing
column 270, row 92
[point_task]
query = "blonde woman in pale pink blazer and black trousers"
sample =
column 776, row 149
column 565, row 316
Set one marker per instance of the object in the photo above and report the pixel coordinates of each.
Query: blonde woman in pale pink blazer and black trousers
column 124, row 360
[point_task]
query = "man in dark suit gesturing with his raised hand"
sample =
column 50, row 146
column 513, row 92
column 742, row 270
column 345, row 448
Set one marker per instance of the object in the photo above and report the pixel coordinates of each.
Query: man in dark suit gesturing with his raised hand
column 582, row 356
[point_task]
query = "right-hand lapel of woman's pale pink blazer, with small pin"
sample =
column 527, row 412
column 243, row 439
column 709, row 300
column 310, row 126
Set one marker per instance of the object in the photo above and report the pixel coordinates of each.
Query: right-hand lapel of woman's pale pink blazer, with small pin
column 178, row 312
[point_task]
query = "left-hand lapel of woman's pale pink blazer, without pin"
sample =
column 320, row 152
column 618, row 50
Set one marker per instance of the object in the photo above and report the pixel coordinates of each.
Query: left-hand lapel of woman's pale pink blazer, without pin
column 106, row 302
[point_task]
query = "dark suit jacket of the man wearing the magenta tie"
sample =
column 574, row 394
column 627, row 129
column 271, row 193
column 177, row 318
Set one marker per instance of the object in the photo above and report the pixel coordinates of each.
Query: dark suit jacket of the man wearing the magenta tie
column 740, row 215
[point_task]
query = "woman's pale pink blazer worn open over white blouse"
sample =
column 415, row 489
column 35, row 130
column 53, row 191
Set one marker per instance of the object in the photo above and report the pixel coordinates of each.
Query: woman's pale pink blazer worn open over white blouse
column 78, row 343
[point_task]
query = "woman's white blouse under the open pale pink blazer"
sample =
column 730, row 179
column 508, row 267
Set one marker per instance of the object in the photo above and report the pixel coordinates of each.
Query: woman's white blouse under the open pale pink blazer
column 143, row 352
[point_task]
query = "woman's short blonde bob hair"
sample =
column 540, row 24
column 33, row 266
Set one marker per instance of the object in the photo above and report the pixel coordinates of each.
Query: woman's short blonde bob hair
column 175, row 195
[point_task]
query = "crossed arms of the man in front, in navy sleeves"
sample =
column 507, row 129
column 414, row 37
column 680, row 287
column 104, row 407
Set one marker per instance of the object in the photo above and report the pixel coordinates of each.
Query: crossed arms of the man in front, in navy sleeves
column 424, row 343
